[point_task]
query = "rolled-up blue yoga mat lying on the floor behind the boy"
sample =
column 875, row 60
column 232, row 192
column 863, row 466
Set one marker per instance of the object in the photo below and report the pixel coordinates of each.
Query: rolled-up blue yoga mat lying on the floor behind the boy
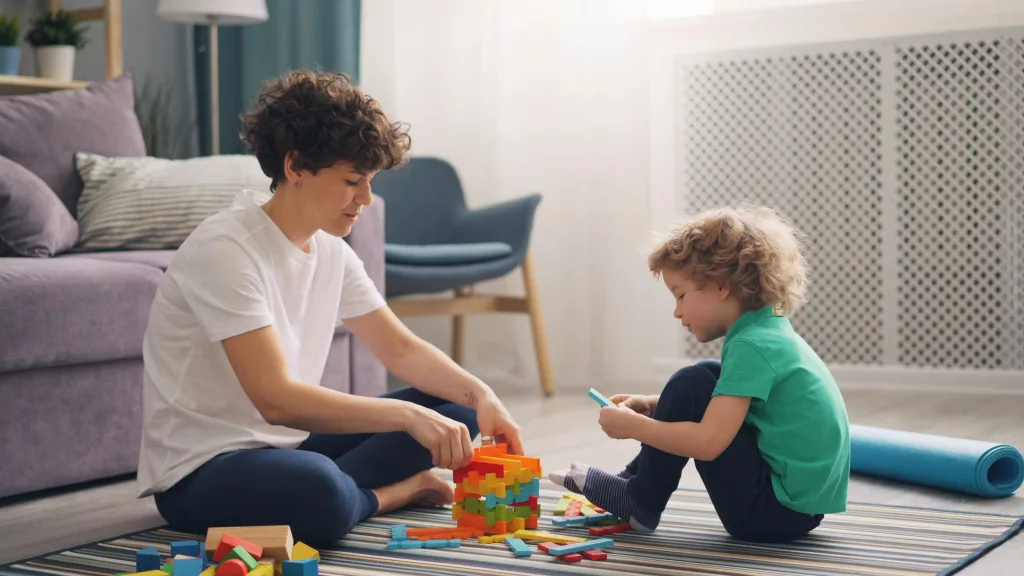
column 982, row 469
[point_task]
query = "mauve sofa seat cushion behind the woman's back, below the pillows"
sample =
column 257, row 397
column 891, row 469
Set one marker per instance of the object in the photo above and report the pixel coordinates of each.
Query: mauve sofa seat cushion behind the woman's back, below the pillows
column 68, row 311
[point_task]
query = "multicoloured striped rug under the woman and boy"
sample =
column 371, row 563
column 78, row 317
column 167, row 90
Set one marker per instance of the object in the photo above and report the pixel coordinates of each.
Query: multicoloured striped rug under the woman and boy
column 867, row 541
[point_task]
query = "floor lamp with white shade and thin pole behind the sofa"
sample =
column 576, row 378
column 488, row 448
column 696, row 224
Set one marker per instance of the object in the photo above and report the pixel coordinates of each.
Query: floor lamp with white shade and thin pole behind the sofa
column 214, row 14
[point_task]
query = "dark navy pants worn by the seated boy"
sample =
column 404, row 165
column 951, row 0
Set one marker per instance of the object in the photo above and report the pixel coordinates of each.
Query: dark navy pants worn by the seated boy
column 739, row 481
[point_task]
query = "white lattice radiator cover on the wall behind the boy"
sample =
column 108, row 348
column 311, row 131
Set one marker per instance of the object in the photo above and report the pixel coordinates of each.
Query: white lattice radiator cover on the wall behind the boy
column 903, row 162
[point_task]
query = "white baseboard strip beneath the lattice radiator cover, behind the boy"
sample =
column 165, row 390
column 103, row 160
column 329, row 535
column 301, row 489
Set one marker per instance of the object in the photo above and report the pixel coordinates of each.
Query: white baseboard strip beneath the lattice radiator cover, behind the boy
column 900, row 378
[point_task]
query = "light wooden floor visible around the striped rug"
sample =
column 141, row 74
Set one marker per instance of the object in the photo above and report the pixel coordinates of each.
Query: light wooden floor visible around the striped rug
column 562, row 430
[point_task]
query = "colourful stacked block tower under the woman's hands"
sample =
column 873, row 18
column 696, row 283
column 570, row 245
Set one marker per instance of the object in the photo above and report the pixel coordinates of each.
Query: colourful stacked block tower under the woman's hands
column 498, row 492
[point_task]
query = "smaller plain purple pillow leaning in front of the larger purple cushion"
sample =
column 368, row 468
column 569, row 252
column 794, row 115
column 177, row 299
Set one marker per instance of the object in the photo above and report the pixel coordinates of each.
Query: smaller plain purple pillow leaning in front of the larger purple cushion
column 33, row 221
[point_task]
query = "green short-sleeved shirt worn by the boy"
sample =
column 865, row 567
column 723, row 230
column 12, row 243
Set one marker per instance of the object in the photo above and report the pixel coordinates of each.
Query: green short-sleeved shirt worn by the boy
column 803, row 428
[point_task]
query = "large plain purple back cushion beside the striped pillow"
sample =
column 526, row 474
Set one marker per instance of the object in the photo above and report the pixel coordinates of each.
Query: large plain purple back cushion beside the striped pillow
column 42, row 133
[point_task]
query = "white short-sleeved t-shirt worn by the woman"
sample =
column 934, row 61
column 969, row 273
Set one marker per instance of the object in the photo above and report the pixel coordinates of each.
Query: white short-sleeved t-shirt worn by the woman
column 236, row 273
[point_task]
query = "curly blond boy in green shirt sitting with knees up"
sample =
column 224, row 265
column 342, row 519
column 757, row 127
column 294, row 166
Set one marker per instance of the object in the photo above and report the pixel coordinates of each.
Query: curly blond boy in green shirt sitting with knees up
column 767, row 427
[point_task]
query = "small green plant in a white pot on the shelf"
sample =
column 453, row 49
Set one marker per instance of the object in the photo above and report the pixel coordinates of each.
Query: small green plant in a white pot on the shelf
column 57, row 36
